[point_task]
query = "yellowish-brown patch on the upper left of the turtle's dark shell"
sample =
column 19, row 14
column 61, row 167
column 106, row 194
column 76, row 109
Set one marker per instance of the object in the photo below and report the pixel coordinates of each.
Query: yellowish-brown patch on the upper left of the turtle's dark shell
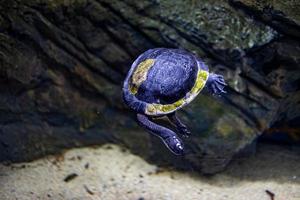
column 140, row 74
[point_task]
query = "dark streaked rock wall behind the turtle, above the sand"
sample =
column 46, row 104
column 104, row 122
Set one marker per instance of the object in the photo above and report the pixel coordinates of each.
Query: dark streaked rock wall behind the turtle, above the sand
column 62, row 64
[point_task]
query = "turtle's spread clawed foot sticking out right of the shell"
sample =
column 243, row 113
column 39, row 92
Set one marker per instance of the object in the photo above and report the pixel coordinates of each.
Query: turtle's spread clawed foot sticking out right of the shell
column 215, row 84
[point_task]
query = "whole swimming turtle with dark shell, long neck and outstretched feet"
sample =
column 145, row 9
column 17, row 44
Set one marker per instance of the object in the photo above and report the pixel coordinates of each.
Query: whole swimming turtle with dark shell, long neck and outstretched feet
column 162, row 81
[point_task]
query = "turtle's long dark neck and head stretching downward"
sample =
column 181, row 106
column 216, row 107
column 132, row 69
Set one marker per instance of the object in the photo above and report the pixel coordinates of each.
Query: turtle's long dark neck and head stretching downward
column 170, row 138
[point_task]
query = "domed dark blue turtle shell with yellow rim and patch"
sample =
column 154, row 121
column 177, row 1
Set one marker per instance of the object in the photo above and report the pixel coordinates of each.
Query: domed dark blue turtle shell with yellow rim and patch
column 164, row 80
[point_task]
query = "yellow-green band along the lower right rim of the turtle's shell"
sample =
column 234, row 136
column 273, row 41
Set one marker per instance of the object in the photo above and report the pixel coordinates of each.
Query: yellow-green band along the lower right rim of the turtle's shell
column 156, row 109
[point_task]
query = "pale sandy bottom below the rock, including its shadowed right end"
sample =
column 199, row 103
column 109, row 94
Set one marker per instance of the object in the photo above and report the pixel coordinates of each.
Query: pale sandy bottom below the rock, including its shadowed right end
column 112, row 173
